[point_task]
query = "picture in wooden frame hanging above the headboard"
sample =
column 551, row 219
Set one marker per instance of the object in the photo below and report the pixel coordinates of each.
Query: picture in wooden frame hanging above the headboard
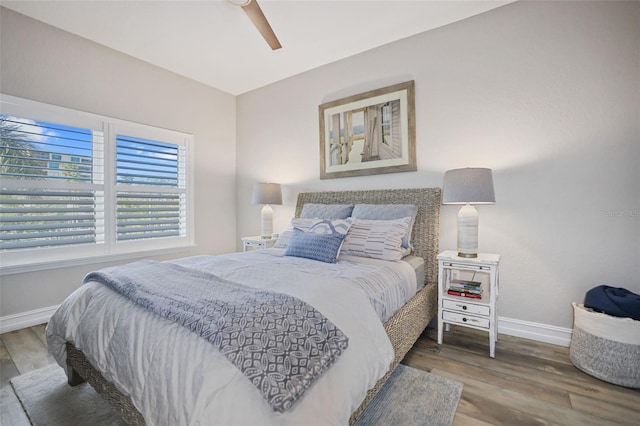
column 369, row 133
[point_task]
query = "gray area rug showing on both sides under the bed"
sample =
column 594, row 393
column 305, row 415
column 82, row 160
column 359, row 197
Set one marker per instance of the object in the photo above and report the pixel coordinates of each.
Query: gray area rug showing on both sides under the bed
column 410, row 397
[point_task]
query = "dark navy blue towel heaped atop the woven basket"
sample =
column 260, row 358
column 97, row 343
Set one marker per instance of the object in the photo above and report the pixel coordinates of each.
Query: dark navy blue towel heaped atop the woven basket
column 615, row 301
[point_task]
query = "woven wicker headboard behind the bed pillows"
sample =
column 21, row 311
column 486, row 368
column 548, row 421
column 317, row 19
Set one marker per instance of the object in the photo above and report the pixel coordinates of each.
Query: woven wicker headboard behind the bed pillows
column 426, row 230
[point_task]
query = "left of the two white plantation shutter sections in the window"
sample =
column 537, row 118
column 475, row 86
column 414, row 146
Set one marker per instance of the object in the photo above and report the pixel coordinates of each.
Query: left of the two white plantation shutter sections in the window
column 52, row 189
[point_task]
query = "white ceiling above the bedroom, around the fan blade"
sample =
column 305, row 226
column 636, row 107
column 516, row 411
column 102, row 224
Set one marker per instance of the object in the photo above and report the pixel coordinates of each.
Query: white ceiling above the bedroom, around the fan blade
column 215, row 43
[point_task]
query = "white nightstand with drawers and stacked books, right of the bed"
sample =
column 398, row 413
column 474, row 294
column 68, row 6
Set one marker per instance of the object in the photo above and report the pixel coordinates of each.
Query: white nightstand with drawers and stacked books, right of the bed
column 479, row 313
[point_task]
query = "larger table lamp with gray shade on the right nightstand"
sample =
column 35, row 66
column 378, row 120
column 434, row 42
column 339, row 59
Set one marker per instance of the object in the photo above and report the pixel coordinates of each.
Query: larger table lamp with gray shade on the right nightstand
column 468, row 186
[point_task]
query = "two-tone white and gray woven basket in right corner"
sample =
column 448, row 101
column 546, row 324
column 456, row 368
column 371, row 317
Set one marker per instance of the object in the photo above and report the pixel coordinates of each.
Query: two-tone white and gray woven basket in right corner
column 606, row 347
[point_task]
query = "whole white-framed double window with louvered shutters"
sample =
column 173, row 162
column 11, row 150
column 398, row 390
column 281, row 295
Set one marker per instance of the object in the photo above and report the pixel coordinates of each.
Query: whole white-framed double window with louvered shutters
column 77, row 186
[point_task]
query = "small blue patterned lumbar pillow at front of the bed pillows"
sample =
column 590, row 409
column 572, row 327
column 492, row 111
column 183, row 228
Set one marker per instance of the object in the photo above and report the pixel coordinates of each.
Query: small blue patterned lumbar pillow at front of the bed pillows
column 321, row 247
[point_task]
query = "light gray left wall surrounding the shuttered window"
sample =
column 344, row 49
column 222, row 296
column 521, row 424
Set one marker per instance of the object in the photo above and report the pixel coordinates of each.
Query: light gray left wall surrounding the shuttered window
column 42, row 63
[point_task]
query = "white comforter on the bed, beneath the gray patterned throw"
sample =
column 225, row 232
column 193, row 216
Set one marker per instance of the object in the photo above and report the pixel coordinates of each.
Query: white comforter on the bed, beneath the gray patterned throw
column 174, row 377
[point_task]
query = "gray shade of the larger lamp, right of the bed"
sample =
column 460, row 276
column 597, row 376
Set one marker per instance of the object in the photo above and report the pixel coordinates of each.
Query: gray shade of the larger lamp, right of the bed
column 468, row 185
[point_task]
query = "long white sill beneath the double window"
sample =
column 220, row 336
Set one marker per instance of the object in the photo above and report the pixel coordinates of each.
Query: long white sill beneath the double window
column 66, row 263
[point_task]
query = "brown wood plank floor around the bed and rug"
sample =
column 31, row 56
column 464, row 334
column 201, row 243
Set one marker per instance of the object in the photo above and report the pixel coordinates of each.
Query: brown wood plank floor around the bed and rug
column 528, row 383
